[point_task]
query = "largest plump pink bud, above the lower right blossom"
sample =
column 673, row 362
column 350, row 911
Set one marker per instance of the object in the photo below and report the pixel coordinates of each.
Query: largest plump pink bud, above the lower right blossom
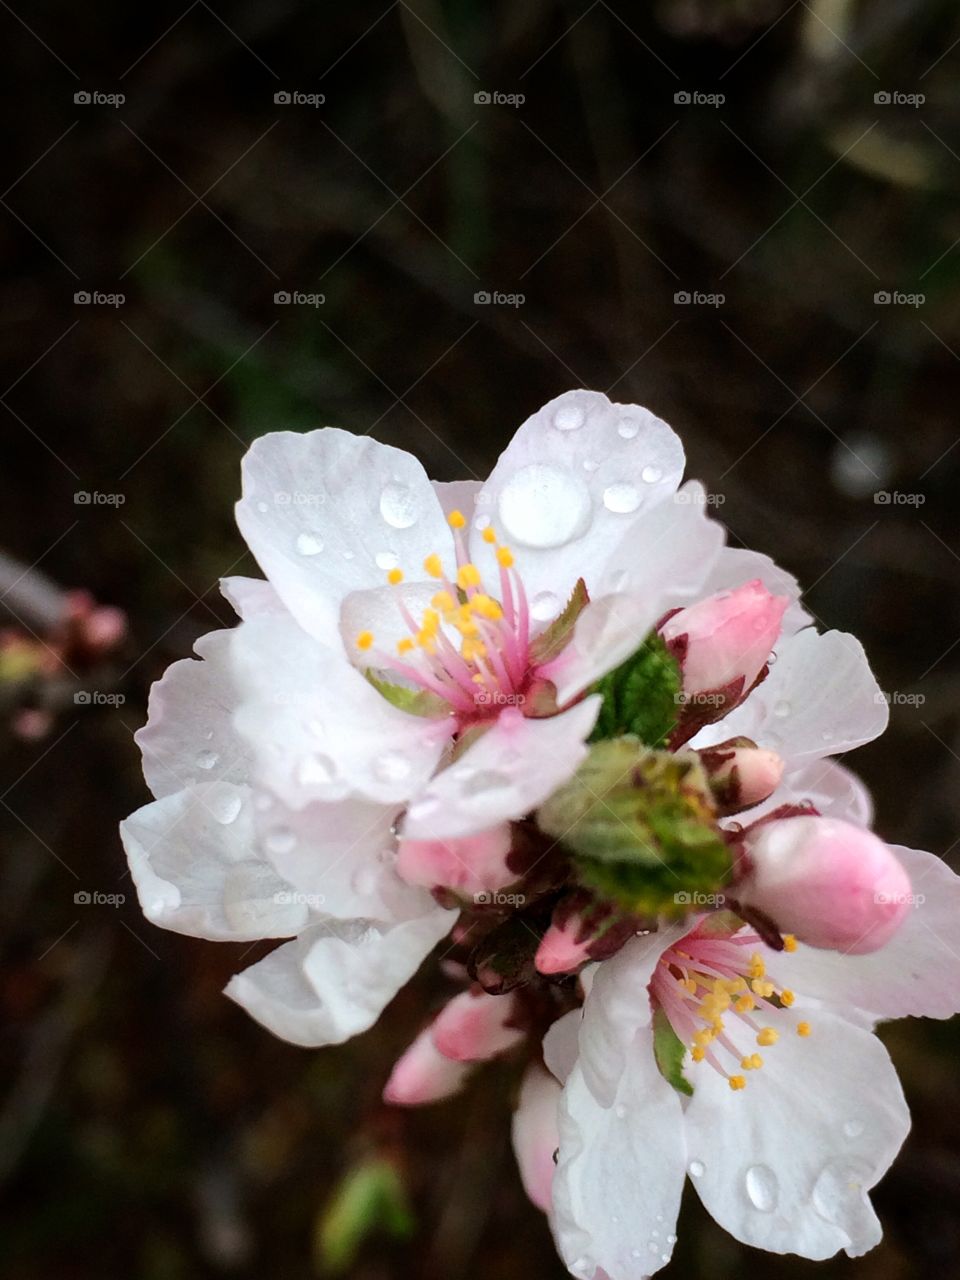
column 831, row 884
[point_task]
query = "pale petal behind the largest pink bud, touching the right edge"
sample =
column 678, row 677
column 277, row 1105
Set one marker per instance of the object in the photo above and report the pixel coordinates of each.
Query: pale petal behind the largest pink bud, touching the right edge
column 917, row 973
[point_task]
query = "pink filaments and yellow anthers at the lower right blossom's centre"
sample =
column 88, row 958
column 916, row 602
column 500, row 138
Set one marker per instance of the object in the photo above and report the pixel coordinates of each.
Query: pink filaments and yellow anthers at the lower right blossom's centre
column 716, row 993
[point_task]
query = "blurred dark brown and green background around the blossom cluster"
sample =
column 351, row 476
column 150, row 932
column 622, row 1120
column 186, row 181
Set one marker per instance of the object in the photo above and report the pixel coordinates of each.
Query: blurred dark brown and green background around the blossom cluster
column 149, row 1130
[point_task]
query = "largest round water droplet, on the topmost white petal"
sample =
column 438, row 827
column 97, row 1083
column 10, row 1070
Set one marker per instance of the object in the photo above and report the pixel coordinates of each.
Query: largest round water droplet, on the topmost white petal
column 545, row 506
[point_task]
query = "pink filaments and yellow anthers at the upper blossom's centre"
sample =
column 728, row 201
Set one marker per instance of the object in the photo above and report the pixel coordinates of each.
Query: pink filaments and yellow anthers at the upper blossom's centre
column 470, row 647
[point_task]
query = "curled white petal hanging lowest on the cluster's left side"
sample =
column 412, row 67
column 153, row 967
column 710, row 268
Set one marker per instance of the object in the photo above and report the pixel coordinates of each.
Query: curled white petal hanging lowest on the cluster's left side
column 336, row 980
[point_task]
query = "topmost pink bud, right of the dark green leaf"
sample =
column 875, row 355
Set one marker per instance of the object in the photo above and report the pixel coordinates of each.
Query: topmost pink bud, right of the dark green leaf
column 726, row 639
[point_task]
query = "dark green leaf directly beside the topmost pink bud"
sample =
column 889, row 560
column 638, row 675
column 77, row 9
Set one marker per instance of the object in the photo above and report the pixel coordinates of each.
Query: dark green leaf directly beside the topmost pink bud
column 642, row 697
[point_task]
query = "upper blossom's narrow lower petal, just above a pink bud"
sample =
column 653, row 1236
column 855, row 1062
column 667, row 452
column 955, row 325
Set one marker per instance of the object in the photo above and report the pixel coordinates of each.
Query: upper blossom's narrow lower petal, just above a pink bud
column 510, row 771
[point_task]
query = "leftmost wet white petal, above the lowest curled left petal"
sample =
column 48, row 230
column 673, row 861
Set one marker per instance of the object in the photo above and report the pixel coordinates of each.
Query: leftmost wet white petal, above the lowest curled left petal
column 195, row 865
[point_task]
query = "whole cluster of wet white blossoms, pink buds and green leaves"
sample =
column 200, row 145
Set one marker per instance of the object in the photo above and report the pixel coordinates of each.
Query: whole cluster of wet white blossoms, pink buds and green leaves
column 554, row 724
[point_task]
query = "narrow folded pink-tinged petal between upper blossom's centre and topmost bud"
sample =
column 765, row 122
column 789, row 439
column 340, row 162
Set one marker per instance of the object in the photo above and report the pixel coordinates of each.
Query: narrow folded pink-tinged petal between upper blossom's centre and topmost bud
column 659, row 565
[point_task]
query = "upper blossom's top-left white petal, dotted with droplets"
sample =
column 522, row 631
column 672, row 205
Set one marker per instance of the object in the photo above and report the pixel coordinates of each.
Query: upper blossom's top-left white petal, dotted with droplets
column 324, row 511
